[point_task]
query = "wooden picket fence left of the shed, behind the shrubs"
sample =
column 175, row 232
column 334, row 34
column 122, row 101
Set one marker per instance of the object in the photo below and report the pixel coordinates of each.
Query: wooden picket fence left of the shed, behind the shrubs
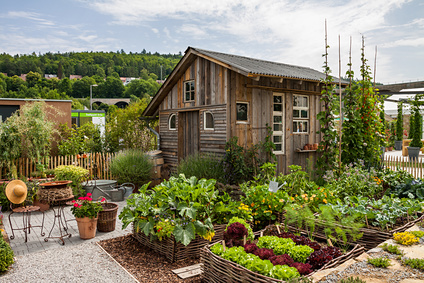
column 25, row 166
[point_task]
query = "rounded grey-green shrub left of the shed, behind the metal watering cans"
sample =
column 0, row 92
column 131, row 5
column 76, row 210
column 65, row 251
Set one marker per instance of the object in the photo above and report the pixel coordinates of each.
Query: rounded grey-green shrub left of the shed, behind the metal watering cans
column 132, row 166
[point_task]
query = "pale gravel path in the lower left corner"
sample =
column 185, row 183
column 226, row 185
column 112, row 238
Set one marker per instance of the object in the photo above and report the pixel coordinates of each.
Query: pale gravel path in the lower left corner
column 80, row 263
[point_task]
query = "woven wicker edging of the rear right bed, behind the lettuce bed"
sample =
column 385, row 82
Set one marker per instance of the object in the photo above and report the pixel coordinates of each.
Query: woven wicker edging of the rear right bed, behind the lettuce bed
column 370, row 238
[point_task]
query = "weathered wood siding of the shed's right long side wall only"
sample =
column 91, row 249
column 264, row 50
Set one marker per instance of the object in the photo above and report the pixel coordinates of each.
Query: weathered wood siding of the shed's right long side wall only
column 259, row 95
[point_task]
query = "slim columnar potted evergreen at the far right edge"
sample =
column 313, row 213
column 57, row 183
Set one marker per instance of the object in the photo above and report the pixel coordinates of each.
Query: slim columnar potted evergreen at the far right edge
column 416, row 130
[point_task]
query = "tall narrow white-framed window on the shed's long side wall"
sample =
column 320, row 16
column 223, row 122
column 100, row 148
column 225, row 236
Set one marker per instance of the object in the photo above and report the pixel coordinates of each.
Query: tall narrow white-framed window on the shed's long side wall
column 278, row 123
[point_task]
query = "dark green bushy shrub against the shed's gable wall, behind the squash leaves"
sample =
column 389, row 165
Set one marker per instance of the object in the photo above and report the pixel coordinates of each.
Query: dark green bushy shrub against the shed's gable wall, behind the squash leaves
column 205, row 165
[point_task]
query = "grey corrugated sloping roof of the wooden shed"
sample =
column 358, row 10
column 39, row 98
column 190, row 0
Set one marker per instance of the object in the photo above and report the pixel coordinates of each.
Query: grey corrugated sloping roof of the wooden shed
column 263, row 67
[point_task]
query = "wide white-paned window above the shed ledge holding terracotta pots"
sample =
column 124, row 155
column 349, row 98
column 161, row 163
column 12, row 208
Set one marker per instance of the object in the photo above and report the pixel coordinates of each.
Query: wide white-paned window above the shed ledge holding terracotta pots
column 300, row 114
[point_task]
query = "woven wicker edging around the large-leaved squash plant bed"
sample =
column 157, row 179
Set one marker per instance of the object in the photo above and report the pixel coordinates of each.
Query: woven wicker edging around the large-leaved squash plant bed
column 175, row 251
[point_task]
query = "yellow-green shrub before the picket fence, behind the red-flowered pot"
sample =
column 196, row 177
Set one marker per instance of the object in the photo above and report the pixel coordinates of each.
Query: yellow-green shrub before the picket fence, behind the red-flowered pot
column 72, row 173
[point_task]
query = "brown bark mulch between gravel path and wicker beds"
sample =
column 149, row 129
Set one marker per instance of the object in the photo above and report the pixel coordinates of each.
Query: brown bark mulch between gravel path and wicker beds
column 144, row 264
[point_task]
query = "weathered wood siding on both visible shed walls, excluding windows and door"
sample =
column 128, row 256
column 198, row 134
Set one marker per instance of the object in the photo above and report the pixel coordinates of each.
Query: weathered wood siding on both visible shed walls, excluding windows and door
column 217, row 90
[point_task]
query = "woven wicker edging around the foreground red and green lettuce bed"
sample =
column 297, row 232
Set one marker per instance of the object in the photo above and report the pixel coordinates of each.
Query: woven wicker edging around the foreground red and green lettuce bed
column 216, row 269
